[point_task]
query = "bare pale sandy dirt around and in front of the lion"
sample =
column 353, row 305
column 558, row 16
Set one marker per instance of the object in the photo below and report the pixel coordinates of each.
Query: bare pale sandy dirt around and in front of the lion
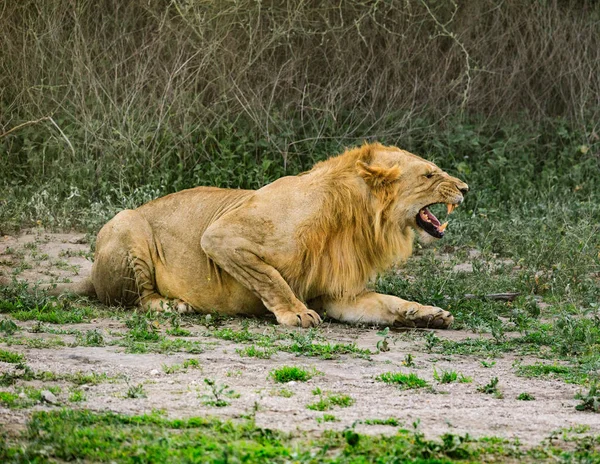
column 456, row 408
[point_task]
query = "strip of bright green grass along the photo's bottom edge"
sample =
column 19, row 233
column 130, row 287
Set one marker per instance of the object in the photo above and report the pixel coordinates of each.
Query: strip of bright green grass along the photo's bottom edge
column 81, row 435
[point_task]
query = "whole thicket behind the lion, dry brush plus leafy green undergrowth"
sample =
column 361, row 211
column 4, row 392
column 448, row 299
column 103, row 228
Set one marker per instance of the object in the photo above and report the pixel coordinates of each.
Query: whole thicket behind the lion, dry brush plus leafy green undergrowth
column 106, row 104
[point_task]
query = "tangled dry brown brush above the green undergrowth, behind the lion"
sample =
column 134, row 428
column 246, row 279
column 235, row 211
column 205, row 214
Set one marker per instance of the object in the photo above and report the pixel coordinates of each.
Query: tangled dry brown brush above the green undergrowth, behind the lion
column 149, row 75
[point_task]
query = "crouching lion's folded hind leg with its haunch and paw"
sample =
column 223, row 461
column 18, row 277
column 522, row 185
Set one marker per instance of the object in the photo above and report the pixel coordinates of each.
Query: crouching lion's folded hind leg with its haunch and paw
column 124, row 265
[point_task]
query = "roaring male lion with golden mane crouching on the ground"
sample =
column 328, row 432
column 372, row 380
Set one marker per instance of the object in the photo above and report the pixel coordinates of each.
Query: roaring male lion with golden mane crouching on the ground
column 307, row 241
